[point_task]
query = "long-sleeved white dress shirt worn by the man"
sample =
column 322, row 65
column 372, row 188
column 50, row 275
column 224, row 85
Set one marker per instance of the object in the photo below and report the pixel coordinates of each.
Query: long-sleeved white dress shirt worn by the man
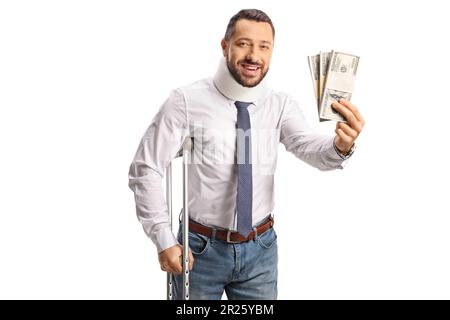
column 201, row 111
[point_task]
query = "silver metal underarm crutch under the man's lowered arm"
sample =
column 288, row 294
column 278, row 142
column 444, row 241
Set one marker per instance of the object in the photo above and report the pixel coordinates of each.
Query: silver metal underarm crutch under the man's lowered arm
column 185, row 152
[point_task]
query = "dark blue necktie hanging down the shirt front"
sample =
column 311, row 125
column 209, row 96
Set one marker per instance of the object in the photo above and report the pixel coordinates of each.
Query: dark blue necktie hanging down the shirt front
column 244, row 170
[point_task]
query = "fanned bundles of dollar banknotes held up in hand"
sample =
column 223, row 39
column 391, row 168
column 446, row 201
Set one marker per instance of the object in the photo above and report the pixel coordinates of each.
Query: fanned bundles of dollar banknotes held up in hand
column 333, row 75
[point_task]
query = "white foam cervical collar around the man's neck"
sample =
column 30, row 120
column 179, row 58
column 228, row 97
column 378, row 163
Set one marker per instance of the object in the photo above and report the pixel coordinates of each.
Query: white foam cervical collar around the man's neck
column 230, row 88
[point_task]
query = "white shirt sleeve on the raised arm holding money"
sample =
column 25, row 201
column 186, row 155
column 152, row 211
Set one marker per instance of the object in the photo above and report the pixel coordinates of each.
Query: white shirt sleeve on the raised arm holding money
column 306, row 144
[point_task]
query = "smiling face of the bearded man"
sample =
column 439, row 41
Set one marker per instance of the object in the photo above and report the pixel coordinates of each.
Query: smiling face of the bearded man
column 249, row 51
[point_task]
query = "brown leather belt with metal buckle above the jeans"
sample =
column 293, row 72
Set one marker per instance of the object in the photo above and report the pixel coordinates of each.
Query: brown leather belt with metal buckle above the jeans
column 228, row 235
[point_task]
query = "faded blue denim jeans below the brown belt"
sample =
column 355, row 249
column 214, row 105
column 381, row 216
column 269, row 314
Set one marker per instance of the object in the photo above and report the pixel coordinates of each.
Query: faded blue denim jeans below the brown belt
column 245, row 270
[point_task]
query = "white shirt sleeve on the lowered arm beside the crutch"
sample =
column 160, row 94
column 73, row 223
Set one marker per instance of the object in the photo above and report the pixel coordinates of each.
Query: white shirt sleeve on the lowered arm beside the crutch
column 158, row 147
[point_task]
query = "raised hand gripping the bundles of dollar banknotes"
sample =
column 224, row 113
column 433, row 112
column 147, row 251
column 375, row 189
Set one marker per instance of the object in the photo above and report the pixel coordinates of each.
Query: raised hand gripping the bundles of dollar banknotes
column 346, row 133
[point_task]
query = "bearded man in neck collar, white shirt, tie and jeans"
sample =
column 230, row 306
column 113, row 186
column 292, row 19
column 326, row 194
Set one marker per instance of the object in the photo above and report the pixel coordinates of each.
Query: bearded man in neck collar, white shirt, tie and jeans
column 236, row 123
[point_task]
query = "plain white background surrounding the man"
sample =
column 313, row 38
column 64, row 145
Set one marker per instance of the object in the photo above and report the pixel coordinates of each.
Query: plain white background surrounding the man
column 80, row 82
